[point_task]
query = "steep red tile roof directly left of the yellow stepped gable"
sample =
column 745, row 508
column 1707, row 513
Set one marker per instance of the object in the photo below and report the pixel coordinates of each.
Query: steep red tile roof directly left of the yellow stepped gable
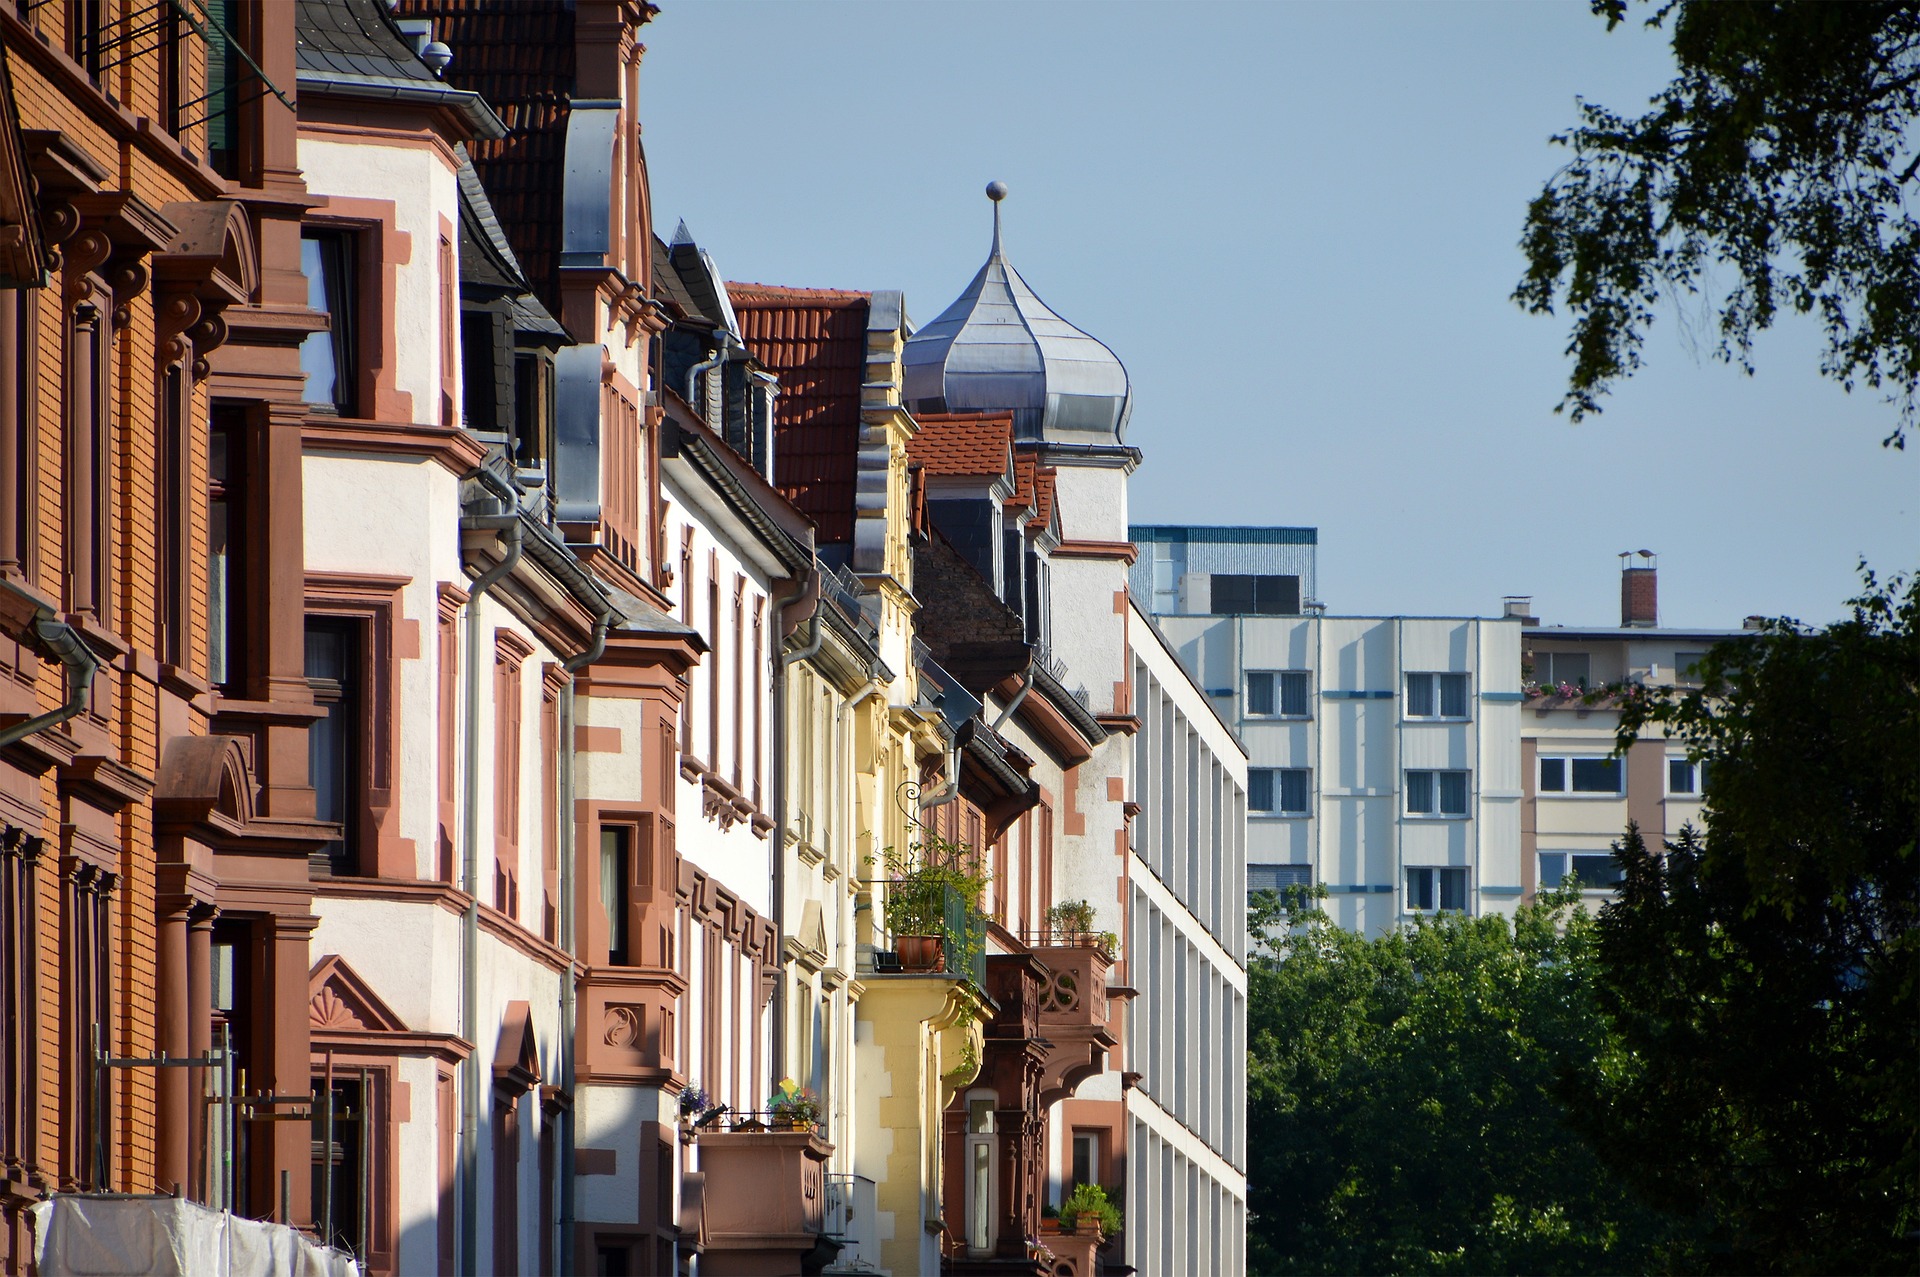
column 815, row 341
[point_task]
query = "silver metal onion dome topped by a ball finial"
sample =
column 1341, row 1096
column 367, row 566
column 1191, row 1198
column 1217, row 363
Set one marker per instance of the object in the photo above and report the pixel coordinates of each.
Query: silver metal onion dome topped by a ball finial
column 1001, row 349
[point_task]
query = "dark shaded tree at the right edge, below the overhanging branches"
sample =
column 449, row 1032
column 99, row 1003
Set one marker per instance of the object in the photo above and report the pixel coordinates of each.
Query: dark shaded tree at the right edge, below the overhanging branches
column 1762, row 978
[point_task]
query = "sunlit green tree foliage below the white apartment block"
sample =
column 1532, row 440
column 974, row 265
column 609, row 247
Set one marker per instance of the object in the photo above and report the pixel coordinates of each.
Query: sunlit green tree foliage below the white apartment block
column 1404, row 1101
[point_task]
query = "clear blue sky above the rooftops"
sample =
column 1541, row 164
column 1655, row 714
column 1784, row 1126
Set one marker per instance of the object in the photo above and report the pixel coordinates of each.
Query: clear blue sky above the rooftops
column 1297, row 226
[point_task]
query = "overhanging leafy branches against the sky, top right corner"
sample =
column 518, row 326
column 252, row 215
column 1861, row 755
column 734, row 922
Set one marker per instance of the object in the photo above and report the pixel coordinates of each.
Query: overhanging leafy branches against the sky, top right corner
column 1781, row 166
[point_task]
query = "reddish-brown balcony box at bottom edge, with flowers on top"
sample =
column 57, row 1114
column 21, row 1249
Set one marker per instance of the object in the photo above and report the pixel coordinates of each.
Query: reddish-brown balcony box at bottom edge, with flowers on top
column 767, row 1199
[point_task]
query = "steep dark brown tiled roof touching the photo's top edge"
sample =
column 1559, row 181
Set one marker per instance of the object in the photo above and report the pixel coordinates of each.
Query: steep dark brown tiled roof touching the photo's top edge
column 517, row 55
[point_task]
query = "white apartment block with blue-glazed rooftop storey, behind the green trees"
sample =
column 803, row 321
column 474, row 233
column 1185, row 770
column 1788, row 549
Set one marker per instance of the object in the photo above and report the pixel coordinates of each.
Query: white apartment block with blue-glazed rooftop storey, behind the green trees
column 1383, row 752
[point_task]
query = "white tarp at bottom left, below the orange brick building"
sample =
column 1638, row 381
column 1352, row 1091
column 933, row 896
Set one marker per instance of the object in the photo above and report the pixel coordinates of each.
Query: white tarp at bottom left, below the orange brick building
column 172, row 1238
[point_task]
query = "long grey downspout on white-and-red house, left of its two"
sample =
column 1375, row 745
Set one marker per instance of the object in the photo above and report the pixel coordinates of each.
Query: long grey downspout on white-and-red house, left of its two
column 510, row 527
